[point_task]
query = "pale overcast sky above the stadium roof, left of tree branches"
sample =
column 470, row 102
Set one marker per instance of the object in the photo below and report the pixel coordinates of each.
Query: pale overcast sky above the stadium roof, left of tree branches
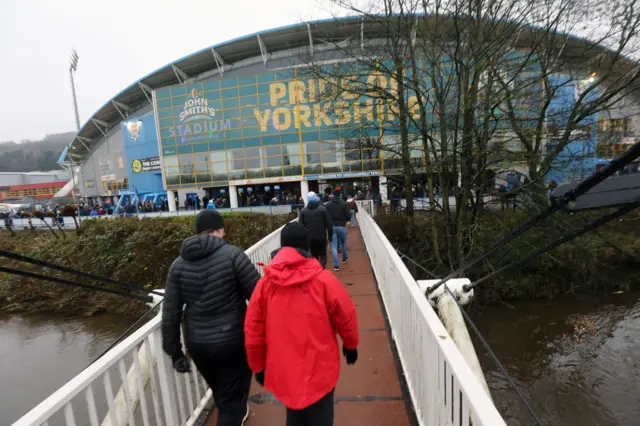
column 118, row 41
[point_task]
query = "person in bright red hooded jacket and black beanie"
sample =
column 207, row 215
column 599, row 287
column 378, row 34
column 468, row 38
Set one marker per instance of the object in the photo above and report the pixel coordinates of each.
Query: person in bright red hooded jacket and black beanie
column 290, row 330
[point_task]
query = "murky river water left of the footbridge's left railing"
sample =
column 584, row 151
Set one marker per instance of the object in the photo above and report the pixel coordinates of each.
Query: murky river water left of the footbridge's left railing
column 38, row 354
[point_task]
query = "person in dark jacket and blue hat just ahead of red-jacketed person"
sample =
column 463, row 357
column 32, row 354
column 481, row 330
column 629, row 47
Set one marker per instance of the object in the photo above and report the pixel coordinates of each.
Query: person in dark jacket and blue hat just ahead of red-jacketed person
column 315, row 218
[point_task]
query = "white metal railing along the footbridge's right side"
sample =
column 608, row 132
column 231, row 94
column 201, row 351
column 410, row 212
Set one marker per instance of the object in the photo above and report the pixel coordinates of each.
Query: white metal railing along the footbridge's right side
column 443, row 389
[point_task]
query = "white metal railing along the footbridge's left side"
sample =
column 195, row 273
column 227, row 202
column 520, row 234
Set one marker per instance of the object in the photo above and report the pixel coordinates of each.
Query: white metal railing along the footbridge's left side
column 151, row 392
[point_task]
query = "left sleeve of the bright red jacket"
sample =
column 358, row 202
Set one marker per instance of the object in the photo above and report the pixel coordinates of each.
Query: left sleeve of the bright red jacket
column 255, row 331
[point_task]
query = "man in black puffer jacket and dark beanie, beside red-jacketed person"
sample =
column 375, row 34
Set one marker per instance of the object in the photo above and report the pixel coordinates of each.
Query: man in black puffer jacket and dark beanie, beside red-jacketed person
column 212, row 280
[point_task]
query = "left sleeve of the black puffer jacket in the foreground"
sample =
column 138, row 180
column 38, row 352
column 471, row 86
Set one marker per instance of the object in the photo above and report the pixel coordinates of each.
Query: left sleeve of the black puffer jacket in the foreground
column 171, row 314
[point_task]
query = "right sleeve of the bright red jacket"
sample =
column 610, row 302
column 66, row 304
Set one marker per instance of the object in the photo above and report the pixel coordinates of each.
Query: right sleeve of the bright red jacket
column 342, row 311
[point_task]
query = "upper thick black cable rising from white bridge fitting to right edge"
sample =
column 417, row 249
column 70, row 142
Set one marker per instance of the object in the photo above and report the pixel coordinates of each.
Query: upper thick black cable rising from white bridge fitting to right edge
column 557, row 204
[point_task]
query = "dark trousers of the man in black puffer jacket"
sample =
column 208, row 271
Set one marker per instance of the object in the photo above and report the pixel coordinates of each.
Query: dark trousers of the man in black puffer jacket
column 227, row 373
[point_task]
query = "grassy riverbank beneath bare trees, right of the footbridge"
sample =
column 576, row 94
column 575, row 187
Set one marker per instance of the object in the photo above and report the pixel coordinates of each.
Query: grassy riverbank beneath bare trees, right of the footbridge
column 605, row 260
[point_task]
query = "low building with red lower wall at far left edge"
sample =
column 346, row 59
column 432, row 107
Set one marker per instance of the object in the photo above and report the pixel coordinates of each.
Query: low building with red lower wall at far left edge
column 27, row 187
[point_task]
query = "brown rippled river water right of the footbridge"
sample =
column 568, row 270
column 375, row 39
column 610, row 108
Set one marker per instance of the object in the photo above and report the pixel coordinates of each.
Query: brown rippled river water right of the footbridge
column 577, row 359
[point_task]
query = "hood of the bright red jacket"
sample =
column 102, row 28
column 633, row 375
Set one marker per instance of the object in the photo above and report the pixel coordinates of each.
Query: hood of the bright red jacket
column 290, row 267
